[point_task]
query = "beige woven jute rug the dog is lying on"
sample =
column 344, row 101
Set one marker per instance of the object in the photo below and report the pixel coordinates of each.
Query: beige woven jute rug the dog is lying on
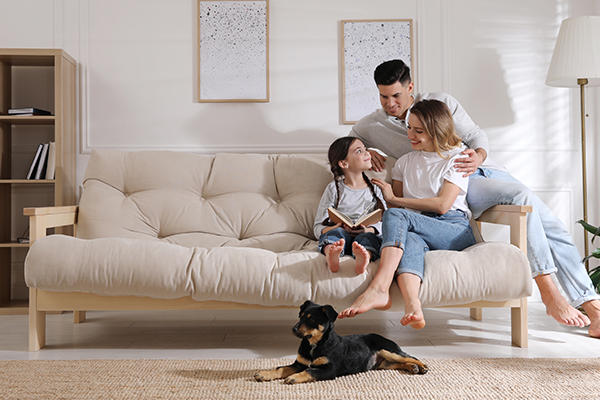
column 448, row 379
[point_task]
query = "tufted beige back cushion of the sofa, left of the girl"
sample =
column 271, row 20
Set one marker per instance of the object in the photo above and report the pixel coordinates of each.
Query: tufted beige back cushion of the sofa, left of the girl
column 250, row 200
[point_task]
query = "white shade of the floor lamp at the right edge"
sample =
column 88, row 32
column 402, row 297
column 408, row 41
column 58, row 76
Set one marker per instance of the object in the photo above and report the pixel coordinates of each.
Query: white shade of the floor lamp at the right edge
column 577, row 53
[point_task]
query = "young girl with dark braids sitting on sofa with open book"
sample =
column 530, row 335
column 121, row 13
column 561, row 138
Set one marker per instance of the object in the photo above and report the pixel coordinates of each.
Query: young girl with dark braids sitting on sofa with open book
column 353, row 194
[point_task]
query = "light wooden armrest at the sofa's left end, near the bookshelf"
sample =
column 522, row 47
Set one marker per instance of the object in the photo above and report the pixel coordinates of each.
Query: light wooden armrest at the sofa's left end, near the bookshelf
column 43, row 218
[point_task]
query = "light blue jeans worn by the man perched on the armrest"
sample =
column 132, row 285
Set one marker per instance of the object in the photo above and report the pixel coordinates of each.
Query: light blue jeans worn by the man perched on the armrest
column 550, row 248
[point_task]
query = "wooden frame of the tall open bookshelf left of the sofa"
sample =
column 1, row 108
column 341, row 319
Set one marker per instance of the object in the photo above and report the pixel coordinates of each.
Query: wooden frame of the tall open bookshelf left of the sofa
column 63, row 122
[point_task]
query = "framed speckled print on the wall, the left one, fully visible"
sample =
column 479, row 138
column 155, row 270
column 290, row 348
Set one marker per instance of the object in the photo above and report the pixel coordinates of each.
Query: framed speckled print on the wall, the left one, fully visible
column 233, row 51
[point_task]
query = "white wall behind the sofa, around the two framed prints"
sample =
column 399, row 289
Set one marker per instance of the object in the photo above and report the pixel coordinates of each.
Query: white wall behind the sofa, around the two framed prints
column 137, row 79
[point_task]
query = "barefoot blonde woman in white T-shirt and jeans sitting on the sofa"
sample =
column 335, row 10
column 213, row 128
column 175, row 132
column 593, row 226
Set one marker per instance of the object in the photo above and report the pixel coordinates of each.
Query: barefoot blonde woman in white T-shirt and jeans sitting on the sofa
column 435, row 214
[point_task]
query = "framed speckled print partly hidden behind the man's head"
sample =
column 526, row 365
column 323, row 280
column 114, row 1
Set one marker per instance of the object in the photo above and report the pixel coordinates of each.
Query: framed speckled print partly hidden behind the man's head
column 365, row 45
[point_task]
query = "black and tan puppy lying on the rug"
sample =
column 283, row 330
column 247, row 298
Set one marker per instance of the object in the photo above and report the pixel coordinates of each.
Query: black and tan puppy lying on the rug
column 323, row 354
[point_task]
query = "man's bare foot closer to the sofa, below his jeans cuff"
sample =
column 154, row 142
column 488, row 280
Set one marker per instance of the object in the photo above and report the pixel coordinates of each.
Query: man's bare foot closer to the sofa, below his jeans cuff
column 557, row 306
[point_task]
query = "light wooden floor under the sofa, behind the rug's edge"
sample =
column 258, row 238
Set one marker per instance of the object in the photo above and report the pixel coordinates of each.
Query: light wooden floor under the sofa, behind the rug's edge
column 267, row 334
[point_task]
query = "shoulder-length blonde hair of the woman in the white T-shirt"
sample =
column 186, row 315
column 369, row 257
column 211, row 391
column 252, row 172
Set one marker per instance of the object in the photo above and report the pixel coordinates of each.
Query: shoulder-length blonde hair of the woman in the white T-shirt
column 437, row 121
